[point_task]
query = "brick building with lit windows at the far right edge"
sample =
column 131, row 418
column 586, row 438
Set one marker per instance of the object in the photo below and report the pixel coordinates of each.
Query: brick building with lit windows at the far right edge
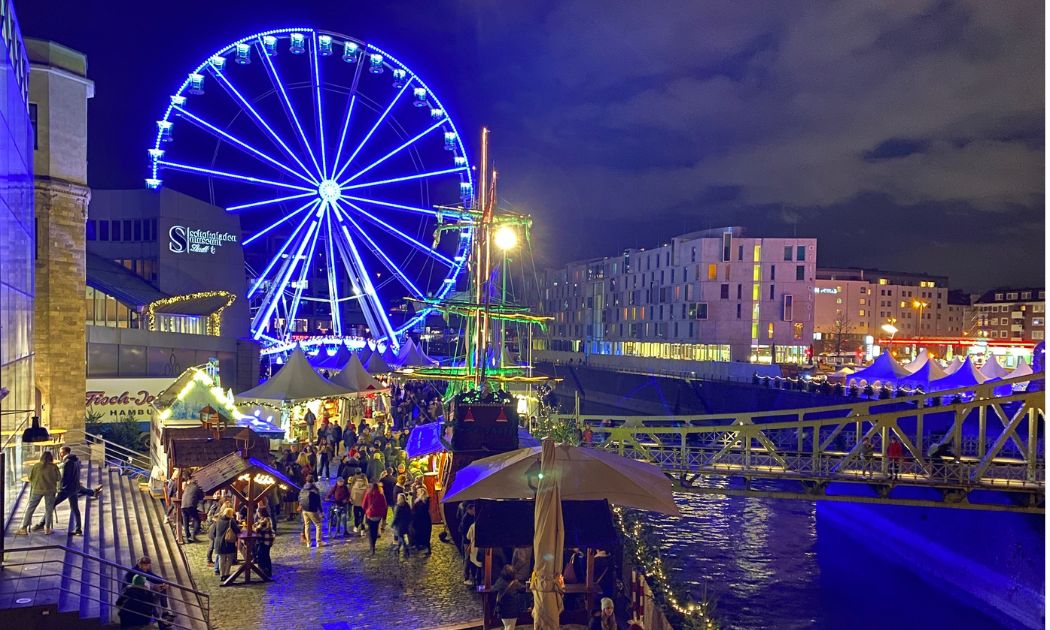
column 1015, row 314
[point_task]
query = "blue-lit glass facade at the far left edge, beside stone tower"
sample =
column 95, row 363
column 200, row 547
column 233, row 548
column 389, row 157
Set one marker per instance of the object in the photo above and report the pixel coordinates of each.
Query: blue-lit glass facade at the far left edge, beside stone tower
column 17, row 236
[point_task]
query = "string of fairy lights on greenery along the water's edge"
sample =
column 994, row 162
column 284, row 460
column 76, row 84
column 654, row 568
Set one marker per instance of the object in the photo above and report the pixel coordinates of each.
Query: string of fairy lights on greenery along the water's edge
column 647, row 556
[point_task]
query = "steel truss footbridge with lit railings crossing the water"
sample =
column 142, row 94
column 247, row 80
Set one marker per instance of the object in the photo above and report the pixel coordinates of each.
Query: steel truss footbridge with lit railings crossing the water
column 979, row 448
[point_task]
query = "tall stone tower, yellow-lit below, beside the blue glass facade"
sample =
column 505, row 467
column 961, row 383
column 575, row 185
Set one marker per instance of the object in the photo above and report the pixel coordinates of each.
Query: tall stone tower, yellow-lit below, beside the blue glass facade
column 59, row 91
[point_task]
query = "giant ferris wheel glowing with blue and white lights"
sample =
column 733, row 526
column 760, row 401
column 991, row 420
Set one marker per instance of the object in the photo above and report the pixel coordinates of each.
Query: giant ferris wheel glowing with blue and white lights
column 342, row 164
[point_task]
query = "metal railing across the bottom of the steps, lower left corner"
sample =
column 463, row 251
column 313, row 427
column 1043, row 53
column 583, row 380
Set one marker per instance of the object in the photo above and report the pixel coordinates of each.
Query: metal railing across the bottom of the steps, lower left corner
column 192, row 608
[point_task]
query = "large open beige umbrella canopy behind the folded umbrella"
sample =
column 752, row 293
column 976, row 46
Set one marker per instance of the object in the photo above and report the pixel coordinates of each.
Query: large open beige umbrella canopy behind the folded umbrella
column 582, row 475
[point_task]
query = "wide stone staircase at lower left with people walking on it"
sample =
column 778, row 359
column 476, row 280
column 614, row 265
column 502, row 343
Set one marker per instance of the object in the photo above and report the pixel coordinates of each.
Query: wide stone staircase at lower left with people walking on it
column 74, row 582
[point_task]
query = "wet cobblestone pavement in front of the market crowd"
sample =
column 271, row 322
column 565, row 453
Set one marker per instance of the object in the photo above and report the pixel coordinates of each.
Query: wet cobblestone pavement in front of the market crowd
column 341, row 586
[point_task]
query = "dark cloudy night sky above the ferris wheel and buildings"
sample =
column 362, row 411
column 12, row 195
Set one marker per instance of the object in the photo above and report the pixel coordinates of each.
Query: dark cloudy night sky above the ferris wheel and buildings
column 906, row 136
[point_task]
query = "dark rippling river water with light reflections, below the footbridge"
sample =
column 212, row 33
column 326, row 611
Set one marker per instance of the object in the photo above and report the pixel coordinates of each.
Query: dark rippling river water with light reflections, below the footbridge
column 765, row 563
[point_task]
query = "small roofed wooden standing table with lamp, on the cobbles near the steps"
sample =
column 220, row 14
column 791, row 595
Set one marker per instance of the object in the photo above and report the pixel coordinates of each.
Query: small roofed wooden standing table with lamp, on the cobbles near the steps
column 248, row 479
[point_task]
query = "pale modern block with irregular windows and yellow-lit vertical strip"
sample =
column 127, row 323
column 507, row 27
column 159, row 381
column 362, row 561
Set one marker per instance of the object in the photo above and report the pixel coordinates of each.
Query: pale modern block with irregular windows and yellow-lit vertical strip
column 713, row 296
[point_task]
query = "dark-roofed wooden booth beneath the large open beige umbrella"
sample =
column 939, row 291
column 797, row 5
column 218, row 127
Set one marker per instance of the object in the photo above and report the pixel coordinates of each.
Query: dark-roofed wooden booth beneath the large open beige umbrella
column 502, row 527
